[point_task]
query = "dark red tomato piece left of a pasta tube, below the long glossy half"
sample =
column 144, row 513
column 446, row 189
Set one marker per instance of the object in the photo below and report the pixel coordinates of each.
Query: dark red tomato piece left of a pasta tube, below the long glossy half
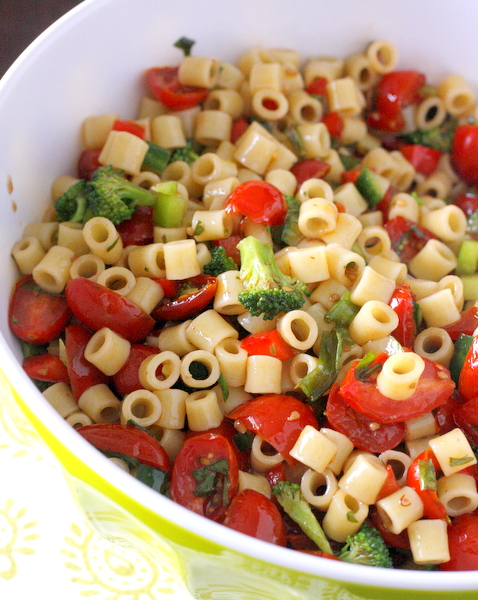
column 81, row 372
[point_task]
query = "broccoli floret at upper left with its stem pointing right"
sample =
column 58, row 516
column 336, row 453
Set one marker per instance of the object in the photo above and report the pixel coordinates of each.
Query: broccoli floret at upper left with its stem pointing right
column 109, row 194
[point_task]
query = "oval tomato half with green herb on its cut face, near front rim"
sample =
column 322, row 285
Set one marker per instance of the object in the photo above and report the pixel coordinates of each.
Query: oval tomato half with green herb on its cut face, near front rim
column 206, row 456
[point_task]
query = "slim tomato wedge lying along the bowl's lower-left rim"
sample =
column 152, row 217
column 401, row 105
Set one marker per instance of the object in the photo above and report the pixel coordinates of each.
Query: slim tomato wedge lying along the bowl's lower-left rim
column 129, row 440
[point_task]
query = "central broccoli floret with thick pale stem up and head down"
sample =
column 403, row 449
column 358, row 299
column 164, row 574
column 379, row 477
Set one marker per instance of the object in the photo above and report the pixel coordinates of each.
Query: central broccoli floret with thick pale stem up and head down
column 267, row 291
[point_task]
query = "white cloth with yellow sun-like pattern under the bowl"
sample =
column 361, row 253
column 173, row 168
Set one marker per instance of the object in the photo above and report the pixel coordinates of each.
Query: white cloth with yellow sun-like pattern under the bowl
column 48, row 550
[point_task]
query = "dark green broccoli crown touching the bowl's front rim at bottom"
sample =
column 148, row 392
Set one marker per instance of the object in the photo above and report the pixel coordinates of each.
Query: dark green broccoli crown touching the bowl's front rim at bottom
column 366, row 547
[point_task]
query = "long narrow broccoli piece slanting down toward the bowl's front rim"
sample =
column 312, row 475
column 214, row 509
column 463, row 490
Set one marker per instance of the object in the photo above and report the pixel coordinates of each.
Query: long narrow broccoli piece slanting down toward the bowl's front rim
column 290, row 498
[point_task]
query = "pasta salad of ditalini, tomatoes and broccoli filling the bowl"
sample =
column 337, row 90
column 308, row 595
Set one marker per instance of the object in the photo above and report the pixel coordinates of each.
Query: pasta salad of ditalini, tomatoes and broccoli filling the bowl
column 270, row 275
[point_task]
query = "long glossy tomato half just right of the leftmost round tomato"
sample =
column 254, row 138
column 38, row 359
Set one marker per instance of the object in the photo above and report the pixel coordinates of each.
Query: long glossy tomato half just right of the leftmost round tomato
column 97, row 306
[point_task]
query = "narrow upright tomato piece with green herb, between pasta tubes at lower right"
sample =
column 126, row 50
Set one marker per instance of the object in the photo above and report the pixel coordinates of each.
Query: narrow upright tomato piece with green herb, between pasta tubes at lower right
column 421, row 476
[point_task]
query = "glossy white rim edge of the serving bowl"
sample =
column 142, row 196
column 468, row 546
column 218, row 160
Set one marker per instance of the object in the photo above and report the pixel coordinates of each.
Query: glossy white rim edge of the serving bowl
column 168, row 509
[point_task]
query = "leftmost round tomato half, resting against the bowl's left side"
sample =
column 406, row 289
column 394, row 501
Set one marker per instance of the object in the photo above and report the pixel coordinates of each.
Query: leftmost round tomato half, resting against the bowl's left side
column 34, row 315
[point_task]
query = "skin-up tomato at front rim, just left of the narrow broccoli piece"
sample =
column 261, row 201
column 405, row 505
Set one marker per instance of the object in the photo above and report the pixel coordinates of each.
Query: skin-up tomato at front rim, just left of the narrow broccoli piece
column 252, row 513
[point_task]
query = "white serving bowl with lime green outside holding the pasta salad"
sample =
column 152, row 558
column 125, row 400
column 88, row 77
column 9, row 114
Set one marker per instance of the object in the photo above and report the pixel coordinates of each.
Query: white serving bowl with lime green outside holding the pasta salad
column 91, row 62
